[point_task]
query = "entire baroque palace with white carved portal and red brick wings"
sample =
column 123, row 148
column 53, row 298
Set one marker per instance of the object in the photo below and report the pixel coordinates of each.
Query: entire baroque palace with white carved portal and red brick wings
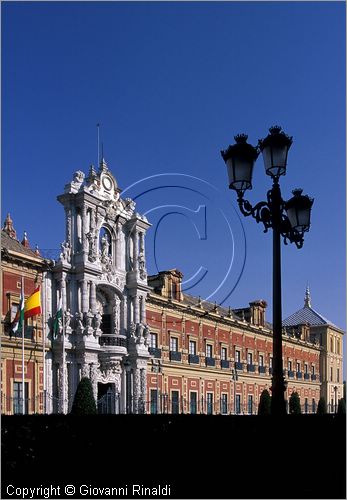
column 145, row 345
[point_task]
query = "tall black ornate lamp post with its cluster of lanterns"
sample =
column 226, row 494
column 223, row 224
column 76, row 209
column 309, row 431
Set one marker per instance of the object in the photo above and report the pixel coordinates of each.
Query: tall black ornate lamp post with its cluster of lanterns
column 290, row 219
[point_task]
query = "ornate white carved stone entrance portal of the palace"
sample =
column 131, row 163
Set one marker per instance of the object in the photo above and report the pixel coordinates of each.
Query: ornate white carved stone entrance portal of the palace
column 102, row 280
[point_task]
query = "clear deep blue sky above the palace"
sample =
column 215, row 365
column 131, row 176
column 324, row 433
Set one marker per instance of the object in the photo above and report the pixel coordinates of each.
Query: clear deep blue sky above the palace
column 171, row 84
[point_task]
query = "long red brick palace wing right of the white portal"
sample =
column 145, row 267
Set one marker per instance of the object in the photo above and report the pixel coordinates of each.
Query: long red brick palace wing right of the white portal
column 208, row 359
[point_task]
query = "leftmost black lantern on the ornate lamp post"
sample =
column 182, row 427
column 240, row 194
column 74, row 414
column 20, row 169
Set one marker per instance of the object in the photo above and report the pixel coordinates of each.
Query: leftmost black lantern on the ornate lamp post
column 239, row 159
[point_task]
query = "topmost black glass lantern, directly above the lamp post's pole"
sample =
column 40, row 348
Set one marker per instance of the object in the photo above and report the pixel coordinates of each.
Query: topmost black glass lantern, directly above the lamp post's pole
column 275, row 149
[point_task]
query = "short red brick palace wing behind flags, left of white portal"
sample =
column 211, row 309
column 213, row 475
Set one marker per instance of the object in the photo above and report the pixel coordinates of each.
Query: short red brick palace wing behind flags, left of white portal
column 19, row 262
